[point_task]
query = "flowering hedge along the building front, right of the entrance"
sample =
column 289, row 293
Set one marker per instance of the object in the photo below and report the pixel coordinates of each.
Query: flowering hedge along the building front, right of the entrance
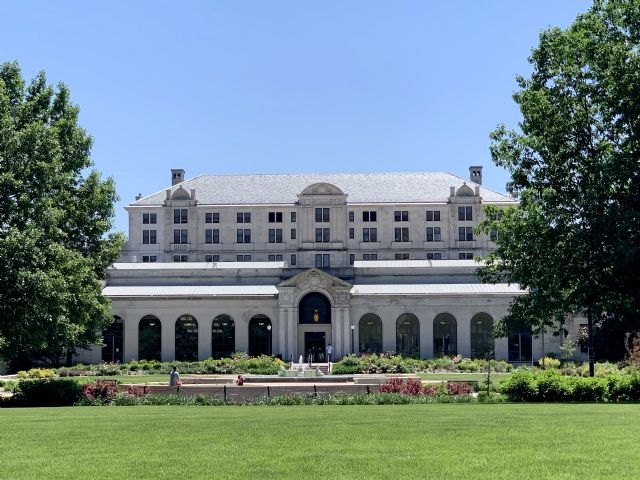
column 352, row 364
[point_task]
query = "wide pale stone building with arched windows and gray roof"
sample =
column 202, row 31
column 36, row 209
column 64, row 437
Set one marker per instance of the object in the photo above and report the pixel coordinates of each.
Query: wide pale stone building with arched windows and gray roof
column 287, row 264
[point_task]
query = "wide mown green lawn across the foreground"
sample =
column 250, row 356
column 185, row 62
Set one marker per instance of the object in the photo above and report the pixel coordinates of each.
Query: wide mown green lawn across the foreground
column 470, row 441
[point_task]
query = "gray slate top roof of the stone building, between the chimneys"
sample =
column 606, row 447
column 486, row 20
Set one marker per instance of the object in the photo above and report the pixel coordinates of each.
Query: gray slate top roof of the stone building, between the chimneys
column 366, row 188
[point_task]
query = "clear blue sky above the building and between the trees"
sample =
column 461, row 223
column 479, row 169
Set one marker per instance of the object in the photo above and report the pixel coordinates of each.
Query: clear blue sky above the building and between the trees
column 283, row 86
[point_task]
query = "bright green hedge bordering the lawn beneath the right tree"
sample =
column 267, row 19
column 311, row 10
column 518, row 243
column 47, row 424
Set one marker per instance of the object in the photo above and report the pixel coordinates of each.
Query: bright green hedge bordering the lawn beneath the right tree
column 552, row 386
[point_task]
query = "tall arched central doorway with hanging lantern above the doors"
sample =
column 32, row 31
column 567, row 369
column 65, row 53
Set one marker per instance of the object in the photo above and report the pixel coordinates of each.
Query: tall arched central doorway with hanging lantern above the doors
column 314, row 326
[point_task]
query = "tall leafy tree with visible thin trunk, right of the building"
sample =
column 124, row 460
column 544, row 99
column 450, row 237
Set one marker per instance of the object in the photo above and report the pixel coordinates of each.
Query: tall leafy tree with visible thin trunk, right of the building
column 574, row 240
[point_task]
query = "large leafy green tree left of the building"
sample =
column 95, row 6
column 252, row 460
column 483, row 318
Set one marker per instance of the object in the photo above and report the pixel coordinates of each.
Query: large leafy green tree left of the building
column 55, row 218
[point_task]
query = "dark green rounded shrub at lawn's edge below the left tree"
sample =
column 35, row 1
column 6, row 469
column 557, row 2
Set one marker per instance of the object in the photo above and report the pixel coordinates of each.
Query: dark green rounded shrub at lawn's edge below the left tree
column 50, row 392
